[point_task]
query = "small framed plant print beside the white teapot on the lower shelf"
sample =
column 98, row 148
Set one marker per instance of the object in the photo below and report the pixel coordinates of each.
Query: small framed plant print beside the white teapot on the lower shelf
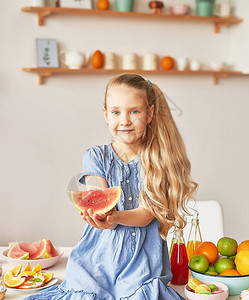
column 47, row 53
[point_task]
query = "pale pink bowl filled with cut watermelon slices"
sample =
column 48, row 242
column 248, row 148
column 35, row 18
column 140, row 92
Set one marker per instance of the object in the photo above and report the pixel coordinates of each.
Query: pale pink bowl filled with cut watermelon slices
column 41, row 251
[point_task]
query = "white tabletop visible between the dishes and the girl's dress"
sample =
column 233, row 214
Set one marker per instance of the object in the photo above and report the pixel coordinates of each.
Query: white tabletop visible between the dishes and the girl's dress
column 59, row 270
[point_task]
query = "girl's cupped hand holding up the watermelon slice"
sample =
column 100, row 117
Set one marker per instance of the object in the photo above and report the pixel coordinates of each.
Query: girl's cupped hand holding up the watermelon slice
column 100, row 221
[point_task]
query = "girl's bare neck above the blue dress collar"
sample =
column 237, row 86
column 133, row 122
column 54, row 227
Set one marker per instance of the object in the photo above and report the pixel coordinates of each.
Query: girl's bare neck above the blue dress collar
column 125, row 152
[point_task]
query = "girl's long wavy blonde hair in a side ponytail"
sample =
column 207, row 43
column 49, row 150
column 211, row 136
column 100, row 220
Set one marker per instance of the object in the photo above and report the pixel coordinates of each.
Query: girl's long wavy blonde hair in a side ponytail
column 167, row 183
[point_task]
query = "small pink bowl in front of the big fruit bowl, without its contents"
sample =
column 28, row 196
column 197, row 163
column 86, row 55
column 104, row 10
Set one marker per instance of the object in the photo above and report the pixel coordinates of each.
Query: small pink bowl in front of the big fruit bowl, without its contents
column 195, row 296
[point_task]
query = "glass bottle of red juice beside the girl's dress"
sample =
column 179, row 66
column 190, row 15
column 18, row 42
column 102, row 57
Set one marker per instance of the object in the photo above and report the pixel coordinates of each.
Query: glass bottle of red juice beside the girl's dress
column 179, row 260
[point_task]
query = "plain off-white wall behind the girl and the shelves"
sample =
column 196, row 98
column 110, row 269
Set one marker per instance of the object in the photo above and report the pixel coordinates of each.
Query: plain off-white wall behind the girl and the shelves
column 45, row 129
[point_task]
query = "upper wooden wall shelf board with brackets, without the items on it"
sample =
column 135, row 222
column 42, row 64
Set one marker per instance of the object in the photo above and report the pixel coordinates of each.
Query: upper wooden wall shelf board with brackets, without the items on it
column 43, row 12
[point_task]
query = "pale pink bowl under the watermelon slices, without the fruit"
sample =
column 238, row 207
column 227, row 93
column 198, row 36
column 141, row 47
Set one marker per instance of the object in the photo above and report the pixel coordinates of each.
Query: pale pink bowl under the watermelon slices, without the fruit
column 45, row 263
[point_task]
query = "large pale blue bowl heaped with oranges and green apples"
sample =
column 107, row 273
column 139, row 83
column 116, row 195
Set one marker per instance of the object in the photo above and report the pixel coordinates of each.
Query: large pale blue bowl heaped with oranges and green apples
column 227, row 263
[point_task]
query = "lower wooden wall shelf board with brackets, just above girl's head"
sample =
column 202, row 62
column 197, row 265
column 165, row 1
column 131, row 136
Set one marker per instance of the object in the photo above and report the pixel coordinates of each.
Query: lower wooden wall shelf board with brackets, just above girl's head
column 46, row 72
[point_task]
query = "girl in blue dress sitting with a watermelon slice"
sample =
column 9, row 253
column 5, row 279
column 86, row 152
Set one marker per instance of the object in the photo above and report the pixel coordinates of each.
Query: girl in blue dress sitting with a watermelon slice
column 124, row 255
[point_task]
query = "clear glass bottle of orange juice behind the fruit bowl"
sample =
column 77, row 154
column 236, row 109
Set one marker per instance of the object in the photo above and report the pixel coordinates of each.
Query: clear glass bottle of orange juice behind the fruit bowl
column 194, row 238
